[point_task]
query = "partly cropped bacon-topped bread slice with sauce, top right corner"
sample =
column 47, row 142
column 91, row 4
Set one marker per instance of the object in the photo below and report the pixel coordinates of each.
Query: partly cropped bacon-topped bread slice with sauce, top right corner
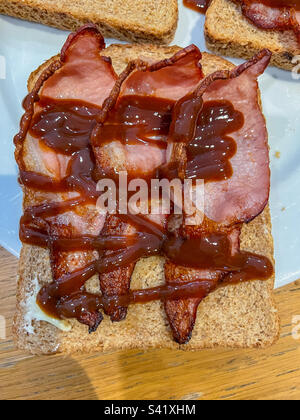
column 240, row 28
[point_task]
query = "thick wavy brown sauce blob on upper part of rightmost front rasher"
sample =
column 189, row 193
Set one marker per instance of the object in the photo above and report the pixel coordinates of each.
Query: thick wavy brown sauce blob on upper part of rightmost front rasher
column 205, row 129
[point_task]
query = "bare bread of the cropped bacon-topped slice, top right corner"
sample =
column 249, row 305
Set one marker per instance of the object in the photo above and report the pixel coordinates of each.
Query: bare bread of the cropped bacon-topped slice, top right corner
column 228, row 32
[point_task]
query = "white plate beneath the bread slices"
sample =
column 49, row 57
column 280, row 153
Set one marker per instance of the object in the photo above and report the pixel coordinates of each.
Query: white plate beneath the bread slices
column 24, row 46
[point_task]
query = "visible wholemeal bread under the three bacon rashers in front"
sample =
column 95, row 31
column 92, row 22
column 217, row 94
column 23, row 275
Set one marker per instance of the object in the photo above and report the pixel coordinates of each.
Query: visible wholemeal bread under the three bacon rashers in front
column 235, row 316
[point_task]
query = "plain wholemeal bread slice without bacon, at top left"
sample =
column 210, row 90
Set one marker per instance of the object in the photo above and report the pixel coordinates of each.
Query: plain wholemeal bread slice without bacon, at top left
column 135, row 20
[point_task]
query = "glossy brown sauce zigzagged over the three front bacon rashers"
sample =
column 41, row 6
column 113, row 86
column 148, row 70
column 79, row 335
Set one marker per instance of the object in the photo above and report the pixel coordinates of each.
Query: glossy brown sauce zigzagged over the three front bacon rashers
column 65, row 127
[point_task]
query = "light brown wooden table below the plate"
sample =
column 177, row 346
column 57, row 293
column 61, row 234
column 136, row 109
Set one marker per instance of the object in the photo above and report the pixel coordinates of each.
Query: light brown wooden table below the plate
column 220, row 374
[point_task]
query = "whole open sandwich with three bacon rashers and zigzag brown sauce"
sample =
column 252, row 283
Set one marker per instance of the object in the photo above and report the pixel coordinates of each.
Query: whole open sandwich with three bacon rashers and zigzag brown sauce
column 93, row 280
